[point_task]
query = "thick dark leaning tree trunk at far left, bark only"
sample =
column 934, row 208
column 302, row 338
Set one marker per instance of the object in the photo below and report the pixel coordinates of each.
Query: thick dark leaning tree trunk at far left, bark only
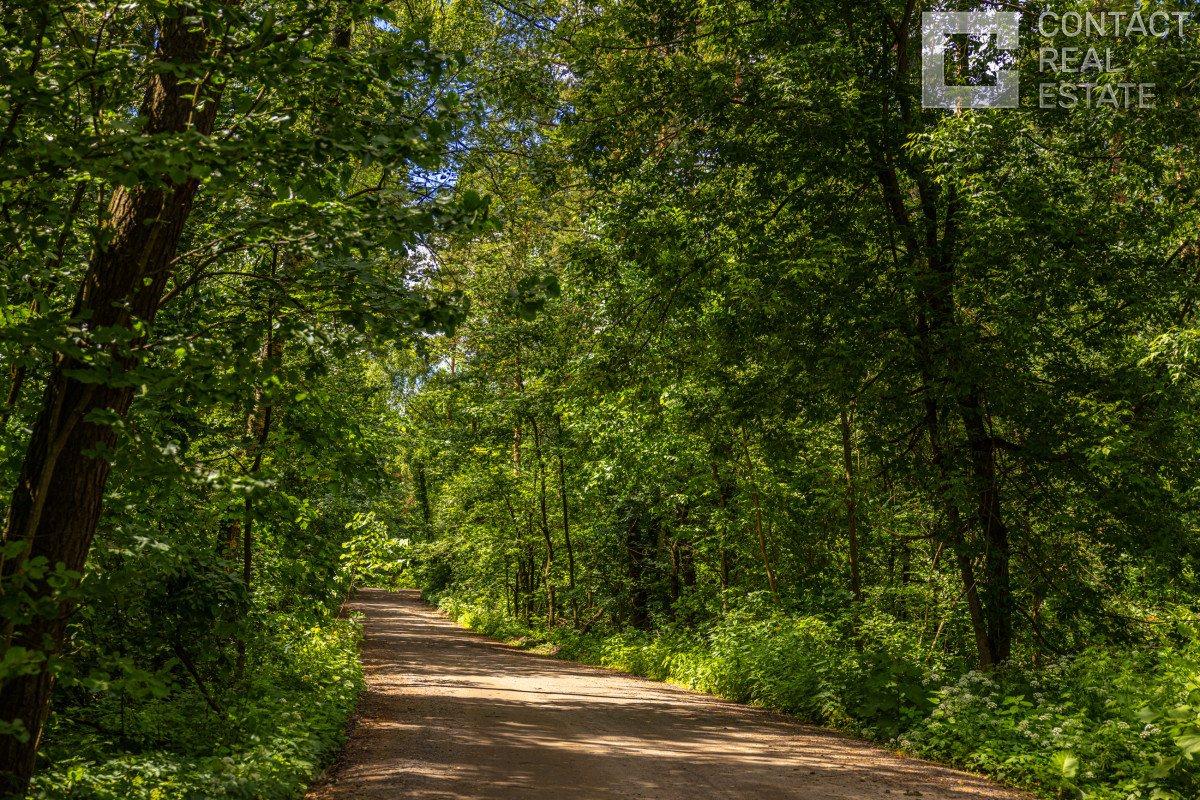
column 57, row 502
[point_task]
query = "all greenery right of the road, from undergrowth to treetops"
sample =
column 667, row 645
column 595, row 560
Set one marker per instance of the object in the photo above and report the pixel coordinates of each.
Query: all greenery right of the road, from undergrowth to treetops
column 842, row 401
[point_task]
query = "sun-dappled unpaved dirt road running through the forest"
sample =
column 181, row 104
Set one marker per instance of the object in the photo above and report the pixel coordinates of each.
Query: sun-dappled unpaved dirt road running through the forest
column 454, row 715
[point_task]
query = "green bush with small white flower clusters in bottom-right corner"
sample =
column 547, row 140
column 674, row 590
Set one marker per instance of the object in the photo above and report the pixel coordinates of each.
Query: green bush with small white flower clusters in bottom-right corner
column 1105, row 725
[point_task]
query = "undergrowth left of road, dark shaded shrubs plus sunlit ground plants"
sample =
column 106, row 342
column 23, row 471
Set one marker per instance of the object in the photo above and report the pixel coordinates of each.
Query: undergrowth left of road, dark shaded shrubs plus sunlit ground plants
column 179, row 687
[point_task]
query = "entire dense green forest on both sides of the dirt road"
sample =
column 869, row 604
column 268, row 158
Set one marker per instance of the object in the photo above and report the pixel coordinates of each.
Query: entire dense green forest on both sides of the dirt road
column 676, row 335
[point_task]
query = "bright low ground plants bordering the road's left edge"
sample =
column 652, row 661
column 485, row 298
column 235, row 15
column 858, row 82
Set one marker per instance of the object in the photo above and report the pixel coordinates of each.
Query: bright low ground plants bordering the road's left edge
column 279, row 730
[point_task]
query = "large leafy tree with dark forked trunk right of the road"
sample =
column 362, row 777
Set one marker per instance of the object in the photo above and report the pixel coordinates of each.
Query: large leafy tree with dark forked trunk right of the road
column 779, row 233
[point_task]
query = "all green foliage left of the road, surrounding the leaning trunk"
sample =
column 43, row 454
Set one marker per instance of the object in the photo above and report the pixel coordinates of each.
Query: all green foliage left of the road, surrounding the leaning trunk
column 253, row 476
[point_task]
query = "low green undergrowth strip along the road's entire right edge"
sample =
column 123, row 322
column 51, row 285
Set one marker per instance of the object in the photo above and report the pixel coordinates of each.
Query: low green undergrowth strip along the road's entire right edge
column 1107, row 724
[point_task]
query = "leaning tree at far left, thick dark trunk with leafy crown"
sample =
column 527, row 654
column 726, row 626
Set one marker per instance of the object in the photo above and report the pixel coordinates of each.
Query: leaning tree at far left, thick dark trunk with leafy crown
column 226, row 89
